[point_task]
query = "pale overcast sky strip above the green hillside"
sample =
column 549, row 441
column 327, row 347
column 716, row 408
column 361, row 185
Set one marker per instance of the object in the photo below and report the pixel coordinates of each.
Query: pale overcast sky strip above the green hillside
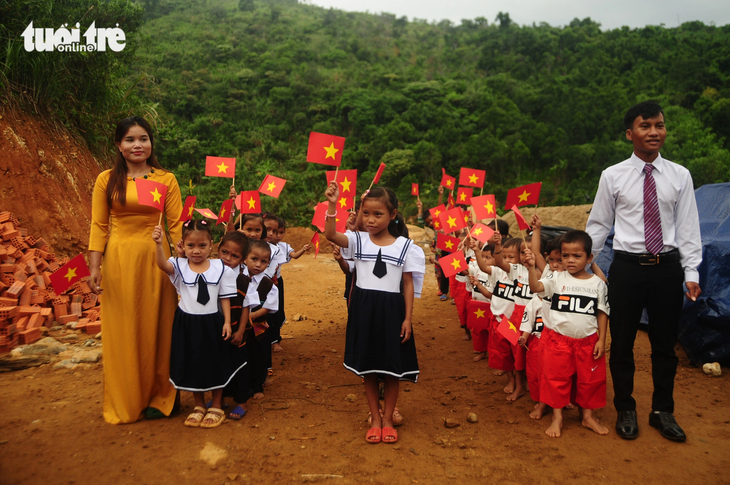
column 610, row 14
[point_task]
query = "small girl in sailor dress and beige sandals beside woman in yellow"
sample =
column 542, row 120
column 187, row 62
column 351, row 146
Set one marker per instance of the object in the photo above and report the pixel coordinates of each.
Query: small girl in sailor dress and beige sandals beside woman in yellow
column 201, row 358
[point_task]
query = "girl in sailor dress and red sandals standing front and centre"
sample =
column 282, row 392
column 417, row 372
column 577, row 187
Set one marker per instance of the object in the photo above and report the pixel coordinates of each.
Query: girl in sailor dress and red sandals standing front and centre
column 390, row 269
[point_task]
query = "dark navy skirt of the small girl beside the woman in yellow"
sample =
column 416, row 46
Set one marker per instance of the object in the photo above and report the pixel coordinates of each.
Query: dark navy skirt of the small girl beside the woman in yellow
column 200, row 360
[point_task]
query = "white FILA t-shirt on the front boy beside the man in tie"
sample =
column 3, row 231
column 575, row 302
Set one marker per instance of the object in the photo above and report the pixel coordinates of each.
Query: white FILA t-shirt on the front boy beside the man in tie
column 575, row 303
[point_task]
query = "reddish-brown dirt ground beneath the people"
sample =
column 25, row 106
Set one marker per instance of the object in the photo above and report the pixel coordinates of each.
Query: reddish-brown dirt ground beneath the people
column 52, row 432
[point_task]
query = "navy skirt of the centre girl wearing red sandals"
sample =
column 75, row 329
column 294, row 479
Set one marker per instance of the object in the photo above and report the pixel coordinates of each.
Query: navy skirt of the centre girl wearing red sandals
column 373, row 343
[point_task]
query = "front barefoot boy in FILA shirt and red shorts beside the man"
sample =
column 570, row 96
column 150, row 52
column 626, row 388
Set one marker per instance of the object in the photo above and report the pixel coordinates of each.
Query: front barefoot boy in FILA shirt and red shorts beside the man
column 575, row 344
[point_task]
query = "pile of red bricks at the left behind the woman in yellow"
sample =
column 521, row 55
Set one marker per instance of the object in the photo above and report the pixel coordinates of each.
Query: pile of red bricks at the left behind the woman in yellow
column 27, row 299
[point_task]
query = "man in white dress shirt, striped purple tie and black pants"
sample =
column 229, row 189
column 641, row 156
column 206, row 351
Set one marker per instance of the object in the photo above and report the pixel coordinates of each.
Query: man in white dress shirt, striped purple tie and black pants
column 657, row 246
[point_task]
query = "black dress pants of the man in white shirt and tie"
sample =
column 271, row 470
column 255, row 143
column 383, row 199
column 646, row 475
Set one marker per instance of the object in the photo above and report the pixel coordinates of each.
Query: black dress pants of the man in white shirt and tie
column 633, row 287
